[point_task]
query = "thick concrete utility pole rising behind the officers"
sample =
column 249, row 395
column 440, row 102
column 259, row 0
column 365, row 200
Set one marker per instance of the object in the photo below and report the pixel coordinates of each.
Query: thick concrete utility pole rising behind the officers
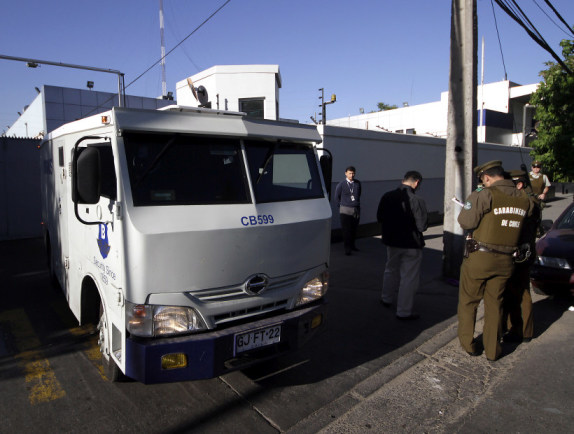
column 461, row 131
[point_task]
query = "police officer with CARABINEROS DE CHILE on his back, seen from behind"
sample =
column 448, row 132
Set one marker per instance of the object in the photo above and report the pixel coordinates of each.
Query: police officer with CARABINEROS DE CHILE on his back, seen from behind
column 494, row 214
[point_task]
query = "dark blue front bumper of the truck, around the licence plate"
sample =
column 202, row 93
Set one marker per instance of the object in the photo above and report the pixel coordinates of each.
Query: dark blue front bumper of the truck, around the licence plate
column 211, row 354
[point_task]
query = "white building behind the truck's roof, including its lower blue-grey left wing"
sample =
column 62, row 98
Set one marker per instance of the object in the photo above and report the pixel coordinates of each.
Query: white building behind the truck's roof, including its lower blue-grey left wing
column 253, row 89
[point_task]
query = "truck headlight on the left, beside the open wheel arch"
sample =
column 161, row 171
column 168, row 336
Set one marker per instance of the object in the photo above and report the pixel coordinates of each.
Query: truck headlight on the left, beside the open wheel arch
column 148, row 320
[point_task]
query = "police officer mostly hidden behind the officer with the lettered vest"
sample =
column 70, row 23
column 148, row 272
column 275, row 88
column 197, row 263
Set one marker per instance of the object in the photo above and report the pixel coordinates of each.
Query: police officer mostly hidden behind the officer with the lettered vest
column 517, row 300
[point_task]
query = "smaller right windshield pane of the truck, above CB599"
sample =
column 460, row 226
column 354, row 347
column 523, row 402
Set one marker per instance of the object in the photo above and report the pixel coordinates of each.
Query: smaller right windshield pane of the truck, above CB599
column 283, row 171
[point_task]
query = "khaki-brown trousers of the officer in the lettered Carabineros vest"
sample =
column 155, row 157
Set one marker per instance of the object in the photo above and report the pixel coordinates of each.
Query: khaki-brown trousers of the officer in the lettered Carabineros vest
column 483, row 275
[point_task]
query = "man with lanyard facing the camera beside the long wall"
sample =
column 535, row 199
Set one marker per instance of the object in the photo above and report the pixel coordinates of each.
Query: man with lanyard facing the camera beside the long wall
column 348, row 197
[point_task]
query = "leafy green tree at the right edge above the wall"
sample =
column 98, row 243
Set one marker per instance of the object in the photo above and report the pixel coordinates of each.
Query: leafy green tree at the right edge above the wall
column 554, row 101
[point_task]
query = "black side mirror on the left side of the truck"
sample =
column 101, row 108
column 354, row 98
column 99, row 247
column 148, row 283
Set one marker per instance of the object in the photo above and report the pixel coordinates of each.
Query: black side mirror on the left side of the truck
column 87, row 179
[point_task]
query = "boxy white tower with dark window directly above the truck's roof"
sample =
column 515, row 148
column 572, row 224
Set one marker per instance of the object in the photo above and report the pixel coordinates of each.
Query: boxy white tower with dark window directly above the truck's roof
column 253, row 89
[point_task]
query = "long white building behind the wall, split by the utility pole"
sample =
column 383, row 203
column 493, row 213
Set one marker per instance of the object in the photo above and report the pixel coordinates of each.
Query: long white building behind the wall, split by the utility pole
column 503, row 115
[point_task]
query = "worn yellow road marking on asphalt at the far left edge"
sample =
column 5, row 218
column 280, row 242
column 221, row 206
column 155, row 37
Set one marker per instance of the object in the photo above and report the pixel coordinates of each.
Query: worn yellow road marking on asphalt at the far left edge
column 44, row 386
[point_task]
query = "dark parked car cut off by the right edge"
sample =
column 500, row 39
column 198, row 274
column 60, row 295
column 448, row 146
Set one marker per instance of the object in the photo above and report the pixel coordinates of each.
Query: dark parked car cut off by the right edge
column 553, row 270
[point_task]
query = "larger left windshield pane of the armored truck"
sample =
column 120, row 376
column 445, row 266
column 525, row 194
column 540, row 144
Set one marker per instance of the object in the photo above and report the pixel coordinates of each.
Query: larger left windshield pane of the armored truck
column 171, row 169
